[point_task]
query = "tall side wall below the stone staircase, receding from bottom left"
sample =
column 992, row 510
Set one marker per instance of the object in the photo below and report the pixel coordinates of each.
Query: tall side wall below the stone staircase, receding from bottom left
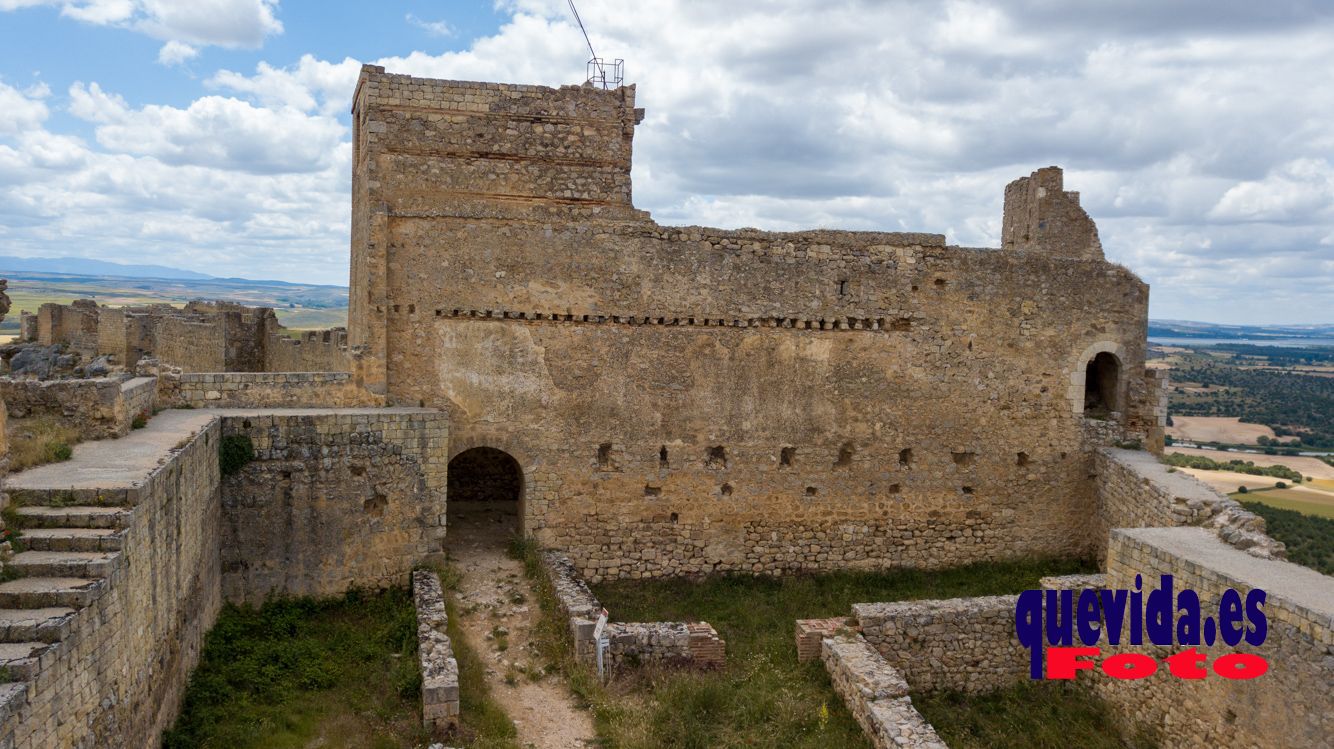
column 118, row 675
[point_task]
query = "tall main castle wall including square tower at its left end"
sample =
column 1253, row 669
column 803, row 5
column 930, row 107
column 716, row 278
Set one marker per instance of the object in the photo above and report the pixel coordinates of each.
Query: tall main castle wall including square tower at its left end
column 688, row 401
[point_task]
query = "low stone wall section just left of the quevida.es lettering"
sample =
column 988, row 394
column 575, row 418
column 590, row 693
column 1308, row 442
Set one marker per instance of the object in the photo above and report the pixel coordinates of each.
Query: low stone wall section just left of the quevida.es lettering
column 965, row 644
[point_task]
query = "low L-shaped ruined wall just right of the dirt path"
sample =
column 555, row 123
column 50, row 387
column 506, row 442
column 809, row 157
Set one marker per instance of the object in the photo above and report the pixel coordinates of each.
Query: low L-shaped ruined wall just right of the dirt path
column 630, row 644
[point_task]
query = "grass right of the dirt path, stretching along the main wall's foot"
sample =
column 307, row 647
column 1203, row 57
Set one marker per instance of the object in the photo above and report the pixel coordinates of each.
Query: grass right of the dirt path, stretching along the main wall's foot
column 764, row 698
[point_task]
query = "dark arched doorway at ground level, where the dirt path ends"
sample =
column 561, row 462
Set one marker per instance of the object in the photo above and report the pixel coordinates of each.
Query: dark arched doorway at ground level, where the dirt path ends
column 485, row 492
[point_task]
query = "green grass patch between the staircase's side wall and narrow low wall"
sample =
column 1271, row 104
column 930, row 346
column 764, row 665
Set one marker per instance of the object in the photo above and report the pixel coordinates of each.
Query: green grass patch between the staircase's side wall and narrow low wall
column 293, row 674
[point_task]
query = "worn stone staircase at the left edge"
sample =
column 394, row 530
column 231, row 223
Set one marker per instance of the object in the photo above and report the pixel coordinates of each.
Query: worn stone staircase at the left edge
column 65, row 563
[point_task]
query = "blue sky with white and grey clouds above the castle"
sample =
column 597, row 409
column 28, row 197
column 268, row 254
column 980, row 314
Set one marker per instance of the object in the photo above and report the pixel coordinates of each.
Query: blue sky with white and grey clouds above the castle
column 214, row 134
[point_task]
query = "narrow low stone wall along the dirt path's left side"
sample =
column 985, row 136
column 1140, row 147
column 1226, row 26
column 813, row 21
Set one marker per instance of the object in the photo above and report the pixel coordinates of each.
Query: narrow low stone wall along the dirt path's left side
column 440, row 668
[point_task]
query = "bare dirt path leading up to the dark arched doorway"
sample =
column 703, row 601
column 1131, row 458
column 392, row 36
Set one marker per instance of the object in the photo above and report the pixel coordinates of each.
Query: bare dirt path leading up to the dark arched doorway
column 496, row 593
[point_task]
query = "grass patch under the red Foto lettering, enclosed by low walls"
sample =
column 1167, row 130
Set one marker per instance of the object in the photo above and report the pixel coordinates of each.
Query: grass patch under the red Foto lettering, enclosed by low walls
column 1043, row 714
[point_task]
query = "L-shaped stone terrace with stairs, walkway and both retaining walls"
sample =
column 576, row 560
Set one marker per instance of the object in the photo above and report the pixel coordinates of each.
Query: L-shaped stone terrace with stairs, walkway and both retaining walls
column 123, row 569
